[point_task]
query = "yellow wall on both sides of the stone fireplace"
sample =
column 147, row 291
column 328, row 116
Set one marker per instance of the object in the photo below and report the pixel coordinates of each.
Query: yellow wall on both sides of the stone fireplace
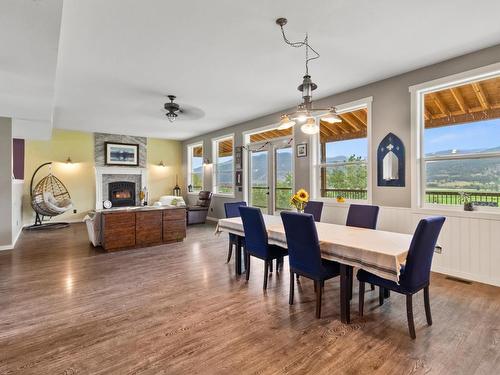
column 79, row 177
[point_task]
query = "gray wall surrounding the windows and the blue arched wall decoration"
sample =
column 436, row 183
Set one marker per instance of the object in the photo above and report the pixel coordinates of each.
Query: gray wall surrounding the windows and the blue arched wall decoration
column 390, row 113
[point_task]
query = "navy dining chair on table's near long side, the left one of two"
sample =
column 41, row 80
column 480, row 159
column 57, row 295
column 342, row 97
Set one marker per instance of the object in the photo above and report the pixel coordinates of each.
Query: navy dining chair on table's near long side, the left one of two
column 256, row 241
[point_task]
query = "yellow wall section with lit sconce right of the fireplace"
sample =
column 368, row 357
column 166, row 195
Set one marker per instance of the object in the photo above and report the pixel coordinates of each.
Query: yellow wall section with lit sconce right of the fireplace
column 161, row 180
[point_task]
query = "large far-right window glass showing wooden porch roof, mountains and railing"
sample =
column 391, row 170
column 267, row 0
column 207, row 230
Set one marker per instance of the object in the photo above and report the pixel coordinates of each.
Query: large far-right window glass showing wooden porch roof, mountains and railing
column 460, row 147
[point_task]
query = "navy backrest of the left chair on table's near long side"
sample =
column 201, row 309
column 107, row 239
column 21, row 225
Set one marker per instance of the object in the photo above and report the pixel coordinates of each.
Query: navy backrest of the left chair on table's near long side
column 255, row 231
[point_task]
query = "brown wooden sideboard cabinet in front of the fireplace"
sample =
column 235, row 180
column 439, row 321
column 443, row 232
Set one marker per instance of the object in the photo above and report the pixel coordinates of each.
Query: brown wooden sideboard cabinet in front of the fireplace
column 142, row 227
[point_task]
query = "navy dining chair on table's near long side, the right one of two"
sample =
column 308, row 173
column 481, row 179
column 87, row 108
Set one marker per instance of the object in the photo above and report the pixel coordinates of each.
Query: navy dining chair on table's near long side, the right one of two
column 304, row 254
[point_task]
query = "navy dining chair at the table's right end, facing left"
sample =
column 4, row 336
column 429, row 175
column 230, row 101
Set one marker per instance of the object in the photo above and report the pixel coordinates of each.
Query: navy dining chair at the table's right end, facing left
column 414, row 274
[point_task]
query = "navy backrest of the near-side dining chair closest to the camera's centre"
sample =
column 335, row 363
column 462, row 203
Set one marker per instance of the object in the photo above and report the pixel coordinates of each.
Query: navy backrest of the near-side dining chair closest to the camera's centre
column 303, row 244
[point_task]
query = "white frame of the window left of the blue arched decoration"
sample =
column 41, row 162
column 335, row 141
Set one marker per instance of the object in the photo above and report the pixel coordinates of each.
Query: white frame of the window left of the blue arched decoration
column 316, row 164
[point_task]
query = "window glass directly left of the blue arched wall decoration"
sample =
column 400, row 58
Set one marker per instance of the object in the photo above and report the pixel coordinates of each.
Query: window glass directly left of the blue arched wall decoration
column 343, row 156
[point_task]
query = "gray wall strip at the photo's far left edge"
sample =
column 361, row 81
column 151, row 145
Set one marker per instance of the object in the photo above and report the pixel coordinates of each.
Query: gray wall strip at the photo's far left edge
column 5, row 181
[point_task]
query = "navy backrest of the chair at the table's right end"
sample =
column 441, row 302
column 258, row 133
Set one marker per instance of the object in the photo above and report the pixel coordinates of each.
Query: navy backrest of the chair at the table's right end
column 419, row 259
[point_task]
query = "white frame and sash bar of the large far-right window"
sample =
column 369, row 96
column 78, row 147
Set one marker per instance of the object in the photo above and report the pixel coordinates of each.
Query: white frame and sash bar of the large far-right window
column 418, row 159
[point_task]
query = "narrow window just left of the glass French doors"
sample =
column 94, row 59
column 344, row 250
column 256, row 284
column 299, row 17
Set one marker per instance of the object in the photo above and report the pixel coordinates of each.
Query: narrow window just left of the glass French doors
column 223, row 169
